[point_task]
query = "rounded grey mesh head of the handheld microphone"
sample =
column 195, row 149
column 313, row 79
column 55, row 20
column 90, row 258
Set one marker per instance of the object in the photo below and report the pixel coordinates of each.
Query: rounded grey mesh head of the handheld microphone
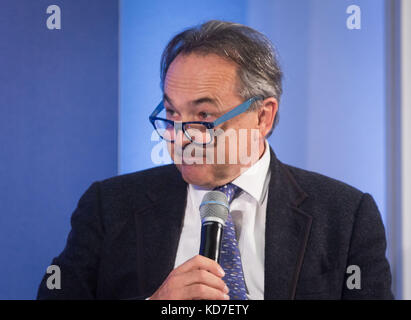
column 214, row 207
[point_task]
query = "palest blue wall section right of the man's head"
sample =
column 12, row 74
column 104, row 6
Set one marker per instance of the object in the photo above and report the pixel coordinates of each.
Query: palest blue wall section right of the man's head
column 333, row 109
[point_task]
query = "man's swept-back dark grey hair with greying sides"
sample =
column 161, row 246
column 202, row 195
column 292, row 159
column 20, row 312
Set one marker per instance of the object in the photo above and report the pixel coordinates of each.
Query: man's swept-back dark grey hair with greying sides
column 258, row 68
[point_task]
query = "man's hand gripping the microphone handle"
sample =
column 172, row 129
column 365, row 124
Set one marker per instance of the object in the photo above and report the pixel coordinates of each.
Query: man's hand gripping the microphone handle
column 196, row 279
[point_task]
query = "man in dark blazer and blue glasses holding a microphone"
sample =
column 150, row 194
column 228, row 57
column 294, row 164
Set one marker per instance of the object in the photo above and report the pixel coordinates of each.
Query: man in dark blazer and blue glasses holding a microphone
column 294, row 234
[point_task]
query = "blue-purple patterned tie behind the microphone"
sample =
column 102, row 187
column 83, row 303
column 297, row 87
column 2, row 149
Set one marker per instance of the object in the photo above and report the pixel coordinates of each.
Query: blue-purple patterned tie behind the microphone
column 230, row 258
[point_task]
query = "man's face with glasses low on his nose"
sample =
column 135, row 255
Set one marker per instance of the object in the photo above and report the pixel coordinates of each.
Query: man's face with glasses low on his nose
column 203, row 88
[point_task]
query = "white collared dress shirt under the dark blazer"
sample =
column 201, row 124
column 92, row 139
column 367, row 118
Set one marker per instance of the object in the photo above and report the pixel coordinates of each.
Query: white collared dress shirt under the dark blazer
column 248, row 211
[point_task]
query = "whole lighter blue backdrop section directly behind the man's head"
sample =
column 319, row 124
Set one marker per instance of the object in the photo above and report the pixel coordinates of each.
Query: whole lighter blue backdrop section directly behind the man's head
column 332, row 114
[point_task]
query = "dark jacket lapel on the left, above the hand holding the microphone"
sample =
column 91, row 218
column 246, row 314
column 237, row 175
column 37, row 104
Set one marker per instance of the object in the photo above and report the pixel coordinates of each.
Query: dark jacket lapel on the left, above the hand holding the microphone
column 158, row 228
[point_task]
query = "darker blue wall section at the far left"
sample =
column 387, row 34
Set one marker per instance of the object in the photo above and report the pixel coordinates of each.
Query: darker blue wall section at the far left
column 58, row 127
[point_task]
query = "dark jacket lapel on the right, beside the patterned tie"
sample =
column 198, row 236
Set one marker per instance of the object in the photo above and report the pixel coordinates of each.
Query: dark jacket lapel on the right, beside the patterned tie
column 286, row 235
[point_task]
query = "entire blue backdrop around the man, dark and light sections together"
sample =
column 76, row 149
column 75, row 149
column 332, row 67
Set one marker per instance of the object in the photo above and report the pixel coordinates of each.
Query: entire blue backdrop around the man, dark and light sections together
column 74, row 104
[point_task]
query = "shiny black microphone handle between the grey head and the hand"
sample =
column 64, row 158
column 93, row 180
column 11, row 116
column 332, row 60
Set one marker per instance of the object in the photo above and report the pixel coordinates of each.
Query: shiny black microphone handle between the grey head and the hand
column 211, row 239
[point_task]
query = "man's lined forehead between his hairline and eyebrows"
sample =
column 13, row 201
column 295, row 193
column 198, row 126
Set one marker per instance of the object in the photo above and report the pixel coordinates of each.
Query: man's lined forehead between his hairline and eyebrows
column 194, row 75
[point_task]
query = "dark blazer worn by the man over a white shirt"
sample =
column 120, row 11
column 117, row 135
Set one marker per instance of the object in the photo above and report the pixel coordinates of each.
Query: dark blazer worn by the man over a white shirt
column 126, row 230
